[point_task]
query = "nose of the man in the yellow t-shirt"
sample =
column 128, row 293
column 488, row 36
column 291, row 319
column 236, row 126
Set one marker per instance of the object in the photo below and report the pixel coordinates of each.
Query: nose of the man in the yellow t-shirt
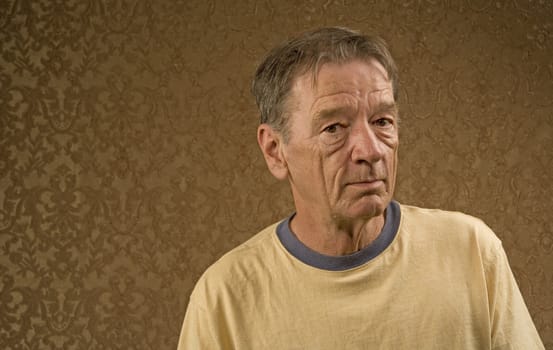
column 366, row 145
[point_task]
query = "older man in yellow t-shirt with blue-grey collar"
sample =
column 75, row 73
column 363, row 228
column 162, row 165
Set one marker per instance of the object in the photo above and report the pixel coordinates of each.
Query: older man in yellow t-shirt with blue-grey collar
column 351, row 268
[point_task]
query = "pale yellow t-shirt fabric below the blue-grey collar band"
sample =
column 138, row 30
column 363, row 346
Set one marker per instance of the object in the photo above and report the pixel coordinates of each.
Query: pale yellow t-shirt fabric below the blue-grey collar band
column 443, row 283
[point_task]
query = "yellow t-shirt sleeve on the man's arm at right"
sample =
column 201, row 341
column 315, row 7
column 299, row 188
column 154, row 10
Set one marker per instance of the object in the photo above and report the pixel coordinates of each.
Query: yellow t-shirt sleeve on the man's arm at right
column 511, row 325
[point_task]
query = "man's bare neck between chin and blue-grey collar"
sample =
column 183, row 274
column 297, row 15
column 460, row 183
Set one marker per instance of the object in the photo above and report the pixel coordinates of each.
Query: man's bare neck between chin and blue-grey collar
column 336, row 236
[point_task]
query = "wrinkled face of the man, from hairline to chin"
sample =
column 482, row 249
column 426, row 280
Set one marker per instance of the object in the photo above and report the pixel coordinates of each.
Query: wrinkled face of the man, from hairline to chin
column 342, row 151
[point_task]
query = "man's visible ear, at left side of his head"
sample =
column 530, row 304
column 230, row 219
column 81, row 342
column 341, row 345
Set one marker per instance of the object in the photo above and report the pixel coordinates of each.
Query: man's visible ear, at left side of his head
column 271, row 143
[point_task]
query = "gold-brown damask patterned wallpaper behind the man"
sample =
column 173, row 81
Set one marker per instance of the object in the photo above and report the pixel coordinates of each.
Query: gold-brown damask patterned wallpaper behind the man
column 129, row 163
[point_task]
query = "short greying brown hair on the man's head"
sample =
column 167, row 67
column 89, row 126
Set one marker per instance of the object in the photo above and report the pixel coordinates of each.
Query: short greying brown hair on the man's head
column 274, row 77
